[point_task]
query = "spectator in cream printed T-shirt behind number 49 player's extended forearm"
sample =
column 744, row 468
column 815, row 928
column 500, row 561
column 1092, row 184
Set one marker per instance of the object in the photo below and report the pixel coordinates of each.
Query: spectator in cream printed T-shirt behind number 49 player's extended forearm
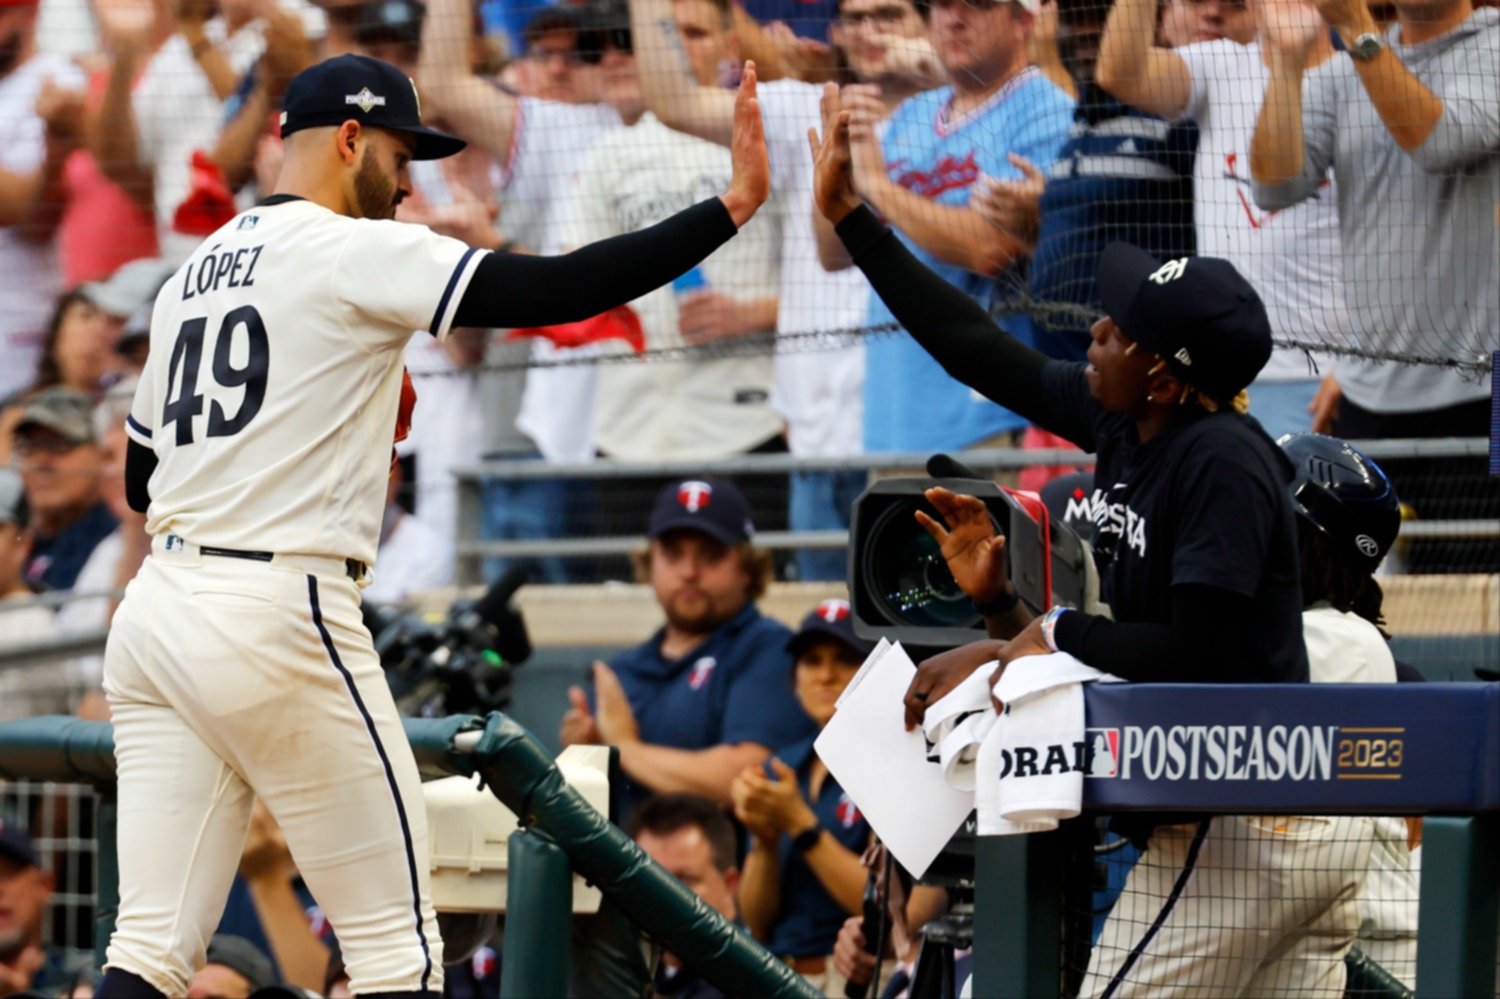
column 634, row 178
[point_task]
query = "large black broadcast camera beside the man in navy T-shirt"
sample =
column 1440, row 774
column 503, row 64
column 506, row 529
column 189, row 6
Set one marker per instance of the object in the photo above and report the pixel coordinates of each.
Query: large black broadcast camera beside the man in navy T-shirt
column 899, row 583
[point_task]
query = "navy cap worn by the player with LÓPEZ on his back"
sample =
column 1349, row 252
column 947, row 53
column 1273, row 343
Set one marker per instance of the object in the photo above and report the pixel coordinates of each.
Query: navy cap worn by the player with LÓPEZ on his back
column 367, row 91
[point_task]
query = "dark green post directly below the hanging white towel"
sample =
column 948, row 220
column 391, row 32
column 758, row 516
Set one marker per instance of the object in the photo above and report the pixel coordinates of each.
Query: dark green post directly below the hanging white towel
column 1018, row 916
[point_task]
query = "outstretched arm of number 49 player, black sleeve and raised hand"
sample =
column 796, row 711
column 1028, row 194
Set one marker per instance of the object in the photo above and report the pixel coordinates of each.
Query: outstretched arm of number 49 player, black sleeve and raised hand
column 514, row 290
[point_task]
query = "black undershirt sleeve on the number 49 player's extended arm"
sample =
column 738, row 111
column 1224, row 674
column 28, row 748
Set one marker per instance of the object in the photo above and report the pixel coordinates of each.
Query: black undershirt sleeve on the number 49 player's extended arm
column 518, row 290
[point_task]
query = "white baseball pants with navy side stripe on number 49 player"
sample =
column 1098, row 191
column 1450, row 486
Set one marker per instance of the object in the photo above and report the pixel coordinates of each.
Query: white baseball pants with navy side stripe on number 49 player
column 232, row 679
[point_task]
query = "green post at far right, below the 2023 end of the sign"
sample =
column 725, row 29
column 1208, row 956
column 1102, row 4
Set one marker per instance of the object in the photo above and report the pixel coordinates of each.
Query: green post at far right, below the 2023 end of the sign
column 1460, row 907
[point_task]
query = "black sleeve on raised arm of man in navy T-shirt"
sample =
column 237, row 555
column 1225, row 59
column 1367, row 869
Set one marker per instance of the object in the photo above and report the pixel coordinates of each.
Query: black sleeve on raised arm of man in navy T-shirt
column 950, row 326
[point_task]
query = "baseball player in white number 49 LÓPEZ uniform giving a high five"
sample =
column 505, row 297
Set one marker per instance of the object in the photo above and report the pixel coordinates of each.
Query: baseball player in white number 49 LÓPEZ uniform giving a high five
column 260, row 445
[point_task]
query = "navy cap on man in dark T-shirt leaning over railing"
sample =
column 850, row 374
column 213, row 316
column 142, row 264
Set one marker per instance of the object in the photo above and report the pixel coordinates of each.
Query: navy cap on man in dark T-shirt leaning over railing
column 1195, row 313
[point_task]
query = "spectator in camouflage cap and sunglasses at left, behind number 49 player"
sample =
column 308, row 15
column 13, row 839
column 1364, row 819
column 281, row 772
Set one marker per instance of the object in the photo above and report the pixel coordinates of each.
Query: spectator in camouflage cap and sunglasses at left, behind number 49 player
column 62, row 464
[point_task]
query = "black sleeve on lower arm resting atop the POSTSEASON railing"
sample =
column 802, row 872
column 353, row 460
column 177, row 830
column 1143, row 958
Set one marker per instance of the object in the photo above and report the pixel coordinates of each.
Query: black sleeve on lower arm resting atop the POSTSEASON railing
column 1208, row 641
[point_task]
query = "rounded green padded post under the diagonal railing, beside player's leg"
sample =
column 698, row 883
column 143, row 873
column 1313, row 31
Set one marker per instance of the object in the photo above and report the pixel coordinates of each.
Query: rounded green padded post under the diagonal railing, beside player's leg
column 539, row 937
